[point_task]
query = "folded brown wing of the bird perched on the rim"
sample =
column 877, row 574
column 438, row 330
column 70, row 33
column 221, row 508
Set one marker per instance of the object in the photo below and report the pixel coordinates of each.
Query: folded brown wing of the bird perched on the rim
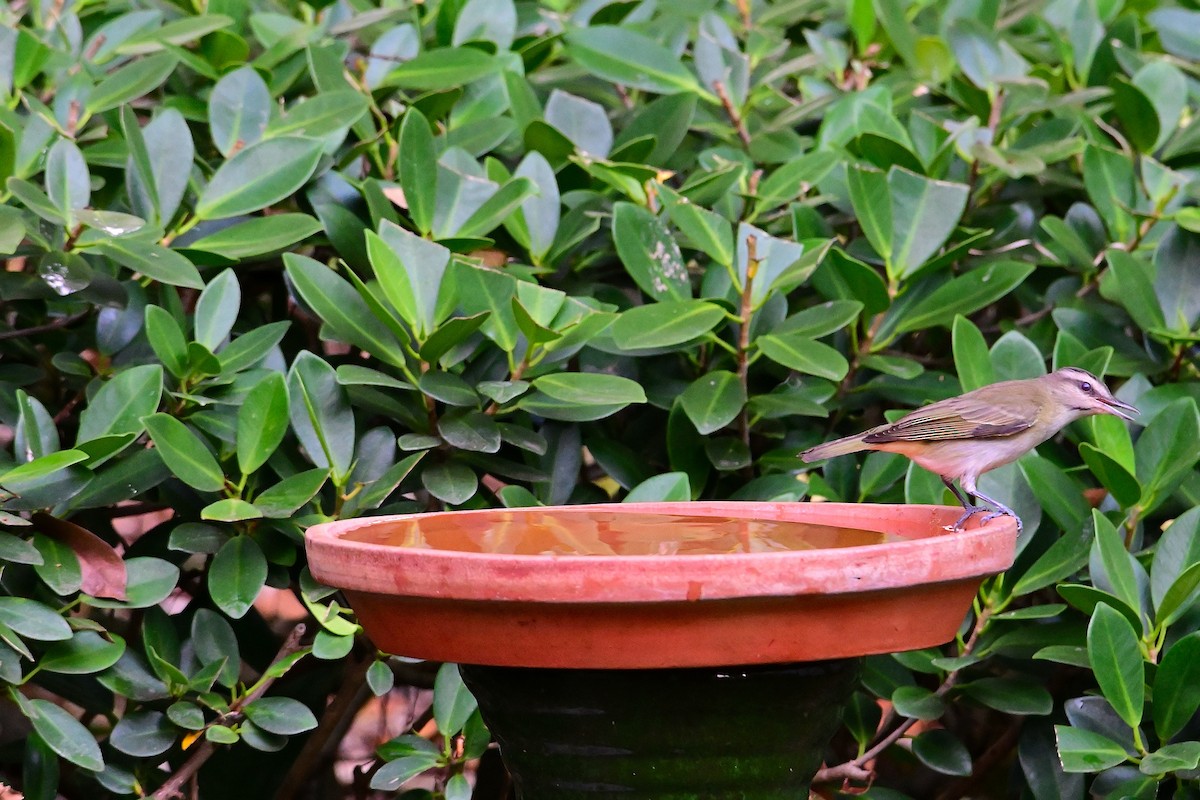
column 958, row 418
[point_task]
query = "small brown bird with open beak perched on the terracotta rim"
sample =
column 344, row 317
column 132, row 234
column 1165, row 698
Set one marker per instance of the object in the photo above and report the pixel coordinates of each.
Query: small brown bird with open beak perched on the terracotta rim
column 964, row 437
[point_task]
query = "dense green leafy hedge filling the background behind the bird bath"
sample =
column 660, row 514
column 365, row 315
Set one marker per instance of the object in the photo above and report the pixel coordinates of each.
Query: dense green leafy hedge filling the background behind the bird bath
column 275, row 263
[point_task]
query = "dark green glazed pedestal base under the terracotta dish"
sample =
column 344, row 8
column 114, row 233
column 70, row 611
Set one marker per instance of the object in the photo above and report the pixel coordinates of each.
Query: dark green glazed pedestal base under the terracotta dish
column 721, row 733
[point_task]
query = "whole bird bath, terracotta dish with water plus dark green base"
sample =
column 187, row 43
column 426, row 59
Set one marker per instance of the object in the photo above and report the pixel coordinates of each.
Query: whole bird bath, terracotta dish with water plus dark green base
column 665, row 651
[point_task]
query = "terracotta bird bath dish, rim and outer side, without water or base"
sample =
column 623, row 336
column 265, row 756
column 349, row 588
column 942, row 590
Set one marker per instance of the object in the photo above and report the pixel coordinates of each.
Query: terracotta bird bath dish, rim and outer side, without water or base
column 650, row 612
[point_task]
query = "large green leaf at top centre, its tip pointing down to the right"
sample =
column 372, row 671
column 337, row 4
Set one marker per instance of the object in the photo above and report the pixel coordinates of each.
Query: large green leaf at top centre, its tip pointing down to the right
column 632, row 59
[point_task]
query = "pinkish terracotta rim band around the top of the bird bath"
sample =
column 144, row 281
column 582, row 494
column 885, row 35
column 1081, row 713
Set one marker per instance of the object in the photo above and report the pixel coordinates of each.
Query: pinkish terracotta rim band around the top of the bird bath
column 928, row 554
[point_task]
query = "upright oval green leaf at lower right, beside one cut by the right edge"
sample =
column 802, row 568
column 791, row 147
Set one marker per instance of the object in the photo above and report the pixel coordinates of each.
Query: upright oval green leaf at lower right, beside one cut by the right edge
column 1117, row 660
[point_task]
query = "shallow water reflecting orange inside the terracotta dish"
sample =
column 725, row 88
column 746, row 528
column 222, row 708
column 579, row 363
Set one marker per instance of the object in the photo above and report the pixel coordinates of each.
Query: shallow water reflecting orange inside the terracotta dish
column 531, row 532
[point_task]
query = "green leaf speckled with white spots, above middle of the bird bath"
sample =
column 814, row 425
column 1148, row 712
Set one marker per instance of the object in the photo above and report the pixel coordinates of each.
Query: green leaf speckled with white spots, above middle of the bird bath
column 650, row 254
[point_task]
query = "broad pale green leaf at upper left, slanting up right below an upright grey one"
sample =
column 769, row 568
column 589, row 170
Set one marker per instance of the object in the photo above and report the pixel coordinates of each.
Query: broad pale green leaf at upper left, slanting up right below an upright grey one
column 260, row 176
